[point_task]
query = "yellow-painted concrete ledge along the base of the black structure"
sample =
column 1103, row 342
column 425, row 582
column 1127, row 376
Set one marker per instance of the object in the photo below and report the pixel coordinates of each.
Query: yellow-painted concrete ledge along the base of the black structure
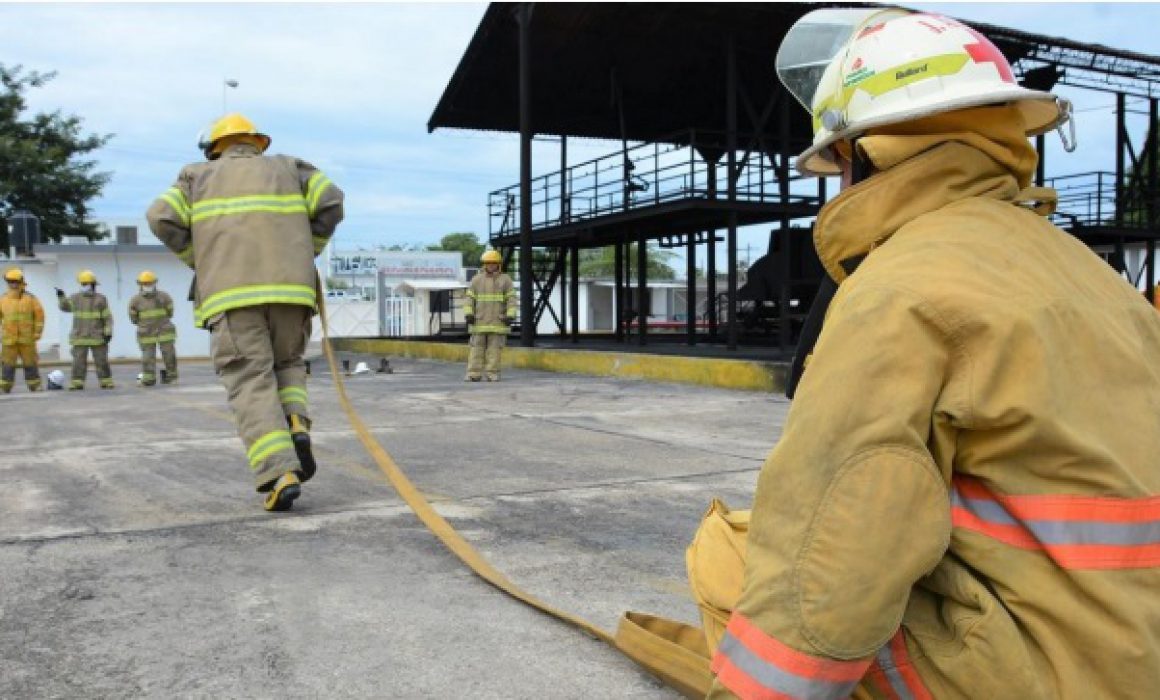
column 708, row 372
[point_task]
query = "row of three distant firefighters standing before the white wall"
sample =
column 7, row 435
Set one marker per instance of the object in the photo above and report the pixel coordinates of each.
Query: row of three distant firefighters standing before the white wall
column 23, row 324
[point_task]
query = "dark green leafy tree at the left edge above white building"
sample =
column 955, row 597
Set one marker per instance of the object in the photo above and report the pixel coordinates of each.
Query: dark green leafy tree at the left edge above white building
column 42, row 165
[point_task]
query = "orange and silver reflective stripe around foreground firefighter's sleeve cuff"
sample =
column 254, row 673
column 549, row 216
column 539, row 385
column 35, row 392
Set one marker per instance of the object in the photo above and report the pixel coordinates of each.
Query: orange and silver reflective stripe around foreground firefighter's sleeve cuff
column 755, row 665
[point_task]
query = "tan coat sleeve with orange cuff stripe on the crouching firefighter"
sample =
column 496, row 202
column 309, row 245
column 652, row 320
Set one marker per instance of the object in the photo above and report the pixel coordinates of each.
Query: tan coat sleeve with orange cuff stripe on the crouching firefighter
column 851, row 509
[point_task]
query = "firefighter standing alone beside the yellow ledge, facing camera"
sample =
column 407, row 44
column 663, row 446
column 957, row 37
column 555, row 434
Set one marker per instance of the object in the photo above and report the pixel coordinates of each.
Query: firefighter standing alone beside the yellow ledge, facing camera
column 490, row 312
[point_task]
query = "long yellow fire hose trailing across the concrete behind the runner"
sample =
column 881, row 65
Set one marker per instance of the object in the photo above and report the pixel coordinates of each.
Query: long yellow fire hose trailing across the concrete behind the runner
column 671, row 651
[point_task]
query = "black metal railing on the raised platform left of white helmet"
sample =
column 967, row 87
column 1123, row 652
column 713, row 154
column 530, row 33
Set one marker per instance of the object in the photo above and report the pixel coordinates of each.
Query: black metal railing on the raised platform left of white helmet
column 642, row 176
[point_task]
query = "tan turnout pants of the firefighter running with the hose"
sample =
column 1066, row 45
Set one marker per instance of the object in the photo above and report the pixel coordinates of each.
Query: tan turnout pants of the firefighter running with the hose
column 258, row 353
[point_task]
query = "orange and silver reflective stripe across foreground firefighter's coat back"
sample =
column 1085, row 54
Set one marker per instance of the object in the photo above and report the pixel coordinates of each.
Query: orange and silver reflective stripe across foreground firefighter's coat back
column 1077, row 532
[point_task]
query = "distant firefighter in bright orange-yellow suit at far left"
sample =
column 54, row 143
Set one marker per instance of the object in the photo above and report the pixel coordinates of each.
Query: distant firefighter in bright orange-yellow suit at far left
column 21, row 324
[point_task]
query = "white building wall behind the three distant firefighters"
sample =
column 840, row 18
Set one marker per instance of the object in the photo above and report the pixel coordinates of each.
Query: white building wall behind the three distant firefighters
column 117, row 269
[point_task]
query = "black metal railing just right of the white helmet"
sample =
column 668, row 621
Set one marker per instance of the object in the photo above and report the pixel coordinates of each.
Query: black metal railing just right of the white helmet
column 1089, row 200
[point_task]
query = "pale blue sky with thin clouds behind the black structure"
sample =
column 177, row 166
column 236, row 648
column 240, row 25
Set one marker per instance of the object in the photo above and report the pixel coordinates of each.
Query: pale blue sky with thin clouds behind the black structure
column 351, row 88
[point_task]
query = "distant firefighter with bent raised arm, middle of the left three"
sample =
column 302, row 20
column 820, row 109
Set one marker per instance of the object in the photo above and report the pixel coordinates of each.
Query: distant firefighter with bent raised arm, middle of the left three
column 92, row 331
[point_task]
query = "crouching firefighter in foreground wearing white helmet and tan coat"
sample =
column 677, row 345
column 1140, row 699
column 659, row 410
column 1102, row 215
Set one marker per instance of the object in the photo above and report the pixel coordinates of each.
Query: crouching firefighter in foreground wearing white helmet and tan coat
column 966, row 501
